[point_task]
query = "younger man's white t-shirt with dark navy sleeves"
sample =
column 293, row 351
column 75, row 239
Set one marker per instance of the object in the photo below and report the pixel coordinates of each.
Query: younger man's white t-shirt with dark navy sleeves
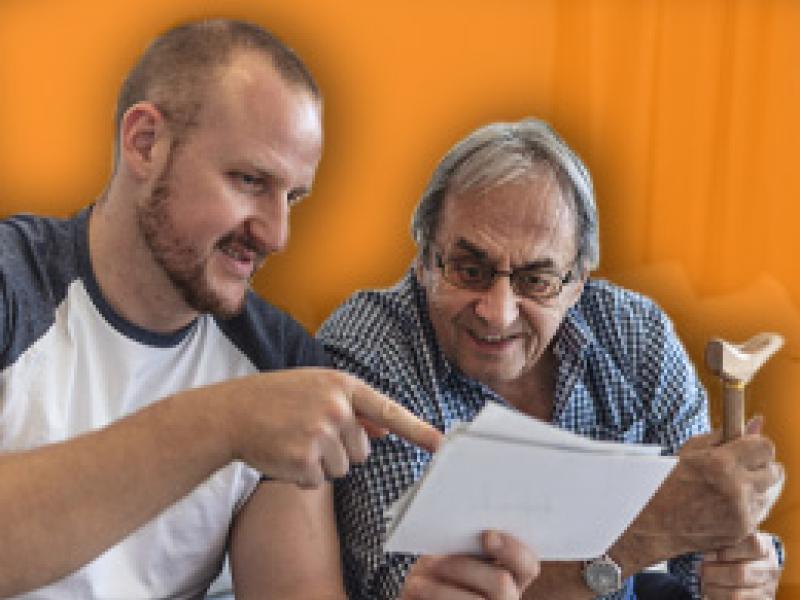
column 69, row 365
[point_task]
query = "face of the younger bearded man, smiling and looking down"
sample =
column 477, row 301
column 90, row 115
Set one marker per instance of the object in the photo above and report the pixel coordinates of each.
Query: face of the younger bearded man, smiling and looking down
column 221, row 203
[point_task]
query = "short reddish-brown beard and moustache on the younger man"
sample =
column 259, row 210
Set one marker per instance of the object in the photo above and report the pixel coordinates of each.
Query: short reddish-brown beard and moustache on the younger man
column 184, row 263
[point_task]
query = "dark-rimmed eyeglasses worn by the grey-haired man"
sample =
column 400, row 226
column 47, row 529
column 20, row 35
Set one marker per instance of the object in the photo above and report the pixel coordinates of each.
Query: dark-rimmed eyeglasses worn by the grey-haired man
column 528, row 282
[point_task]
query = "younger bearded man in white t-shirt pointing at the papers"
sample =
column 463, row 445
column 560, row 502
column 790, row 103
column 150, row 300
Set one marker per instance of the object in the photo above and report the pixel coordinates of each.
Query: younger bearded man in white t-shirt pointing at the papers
column 134, row 422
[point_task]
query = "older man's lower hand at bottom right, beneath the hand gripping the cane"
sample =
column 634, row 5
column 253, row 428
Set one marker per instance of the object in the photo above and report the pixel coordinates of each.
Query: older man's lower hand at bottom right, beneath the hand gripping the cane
column 749, row 570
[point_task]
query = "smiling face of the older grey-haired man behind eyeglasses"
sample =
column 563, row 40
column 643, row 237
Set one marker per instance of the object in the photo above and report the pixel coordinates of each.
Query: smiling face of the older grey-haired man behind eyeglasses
column 496, row 336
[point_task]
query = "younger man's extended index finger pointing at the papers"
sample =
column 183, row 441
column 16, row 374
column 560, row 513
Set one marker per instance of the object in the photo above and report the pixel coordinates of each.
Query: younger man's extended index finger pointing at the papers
column 382, row 411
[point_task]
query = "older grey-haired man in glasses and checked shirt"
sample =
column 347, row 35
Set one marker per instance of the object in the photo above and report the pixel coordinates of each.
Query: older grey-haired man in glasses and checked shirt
column 499, row 307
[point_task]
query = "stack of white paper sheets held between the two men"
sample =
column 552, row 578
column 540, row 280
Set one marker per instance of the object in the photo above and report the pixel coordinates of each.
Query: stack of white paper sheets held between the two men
column 565, row 496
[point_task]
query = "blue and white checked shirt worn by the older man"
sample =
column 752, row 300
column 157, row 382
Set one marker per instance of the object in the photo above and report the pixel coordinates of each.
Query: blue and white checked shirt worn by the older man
column 622, row 375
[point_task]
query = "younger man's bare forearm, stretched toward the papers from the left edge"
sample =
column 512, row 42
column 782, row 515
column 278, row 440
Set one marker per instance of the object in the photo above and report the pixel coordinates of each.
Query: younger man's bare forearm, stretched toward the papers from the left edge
column 64, row 504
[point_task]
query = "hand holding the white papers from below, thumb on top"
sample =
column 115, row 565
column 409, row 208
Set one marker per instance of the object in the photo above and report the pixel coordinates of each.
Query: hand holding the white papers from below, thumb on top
column 503, row 573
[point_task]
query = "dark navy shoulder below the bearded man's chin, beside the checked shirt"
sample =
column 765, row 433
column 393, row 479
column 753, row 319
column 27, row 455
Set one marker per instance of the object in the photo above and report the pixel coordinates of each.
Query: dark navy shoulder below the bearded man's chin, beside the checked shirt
column 271, row 338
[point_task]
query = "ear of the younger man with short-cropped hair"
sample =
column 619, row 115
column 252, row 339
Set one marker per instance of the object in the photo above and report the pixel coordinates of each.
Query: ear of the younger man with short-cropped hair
column 143, row 133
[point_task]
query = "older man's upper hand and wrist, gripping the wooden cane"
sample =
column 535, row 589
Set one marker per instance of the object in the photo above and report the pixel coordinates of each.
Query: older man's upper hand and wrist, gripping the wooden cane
column 716, row 496
